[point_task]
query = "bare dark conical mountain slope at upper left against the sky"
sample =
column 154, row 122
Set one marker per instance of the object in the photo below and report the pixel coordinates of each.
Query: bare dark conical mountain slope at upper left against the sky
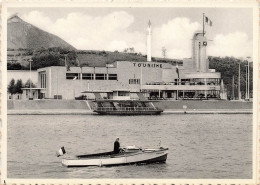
column 21, row 34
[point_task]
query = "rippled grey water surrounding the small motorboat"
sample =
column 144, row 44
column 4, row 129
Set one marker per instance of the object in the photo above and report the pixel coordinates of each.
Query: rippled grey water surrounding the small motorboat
column 200, row 146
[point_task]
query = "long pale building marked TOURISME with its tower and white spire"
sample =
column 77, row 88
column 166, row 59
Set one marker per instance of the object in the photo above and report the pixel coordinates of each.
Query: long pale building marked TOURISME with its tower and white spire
column 190, row 79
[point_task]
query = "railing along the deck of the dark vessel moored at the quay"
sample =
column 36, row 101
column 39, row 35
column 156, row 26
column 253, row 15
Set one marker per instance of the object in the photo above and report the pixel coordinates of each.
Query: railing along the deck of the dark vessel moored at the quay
column 125, row 108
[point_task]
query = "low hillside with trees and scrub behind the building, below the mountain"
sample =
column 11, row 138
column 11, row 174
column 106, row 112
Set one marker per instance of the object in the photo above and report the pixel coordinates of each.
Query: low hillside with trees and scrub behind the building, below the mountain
column 19, row 59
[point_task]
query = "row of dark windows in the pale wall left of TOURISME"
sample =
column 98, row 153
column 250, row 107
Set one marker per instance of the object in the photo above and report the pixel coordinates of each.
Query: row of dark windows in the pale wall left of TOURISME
column 91, row 76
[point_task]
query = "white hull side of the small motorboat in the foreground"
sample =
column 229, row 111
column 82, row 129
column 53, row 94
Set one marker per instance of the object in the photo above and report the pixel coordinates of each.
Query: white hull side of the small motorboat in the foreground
column 141, row 157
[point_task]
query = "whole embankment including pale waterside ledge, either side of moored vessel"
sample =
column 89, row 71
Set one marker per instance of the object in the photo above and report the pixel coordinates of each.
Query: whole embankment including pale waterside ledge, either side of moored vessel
column 83, row 107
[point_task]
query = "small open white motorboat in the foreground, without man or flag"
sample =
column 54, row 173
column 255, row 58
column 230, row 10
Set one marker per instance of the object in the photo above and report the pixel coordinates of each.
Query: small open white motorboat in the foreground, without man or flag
column 130, row 155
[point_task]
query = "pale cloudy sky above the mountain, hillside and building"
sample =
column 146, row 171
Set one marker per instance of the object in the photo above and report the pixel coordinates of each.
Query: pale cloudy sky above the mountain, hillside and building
column 113, row 29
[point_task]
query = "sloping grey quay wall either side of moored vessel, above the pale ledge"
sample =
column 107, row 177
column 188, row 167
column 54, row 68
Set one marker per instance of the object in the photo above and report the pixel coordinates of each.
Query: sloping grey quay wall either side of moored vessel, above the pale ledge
column 164, row 104
